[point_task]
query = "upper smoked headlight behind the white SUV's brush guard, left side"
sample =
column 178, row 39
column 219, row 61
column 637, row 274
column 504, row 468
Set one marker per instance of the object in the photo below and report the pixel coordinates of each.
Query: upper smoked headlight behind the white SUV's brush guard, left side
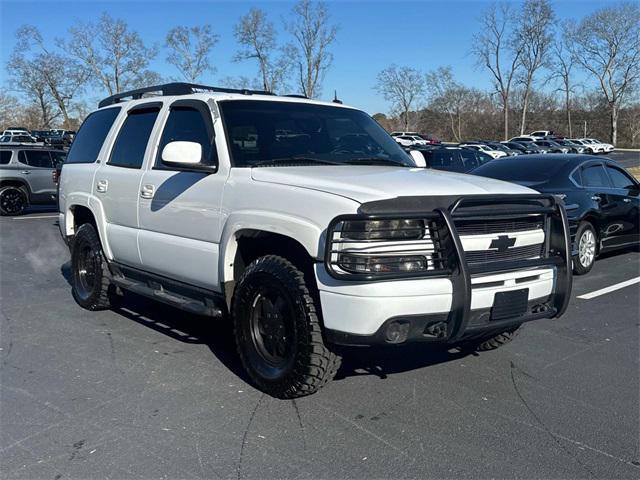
column 401, row 229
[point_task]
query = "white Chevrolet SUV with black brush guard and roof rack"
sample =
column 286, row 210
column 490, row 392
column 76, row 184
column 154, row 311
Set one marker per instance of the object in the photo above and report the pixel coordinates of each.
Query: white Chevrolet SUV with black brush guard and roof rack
column 306, row 225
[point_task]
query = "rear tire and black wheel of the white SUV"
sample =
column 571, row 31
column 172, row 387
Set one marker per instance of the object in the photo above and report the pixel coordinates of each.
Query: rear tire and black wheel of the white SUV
column 90, row 276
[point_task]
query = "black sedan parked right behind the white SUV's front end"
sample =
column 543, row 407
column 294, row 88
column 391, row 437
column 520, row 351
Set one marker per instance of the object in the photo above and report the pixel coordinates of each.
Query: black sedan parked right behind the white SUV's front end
column 602, row 199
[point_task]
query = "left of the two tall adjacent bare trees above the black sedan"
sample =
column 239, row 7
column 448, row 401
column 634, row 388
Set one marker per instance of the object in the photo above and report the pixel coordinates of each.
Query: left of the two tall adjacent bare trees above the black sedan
column 495, row 50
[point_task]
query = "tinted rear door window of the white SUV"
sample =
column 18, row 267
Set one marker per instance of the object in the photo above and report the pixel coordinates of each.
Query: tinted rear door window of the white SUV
column 128, row 150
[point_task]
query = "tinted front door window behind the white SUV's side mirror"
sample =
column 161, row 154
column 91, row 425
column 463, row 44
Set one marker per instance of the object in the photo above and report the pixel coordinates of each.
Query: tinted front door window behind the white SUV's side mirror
column 187, row 124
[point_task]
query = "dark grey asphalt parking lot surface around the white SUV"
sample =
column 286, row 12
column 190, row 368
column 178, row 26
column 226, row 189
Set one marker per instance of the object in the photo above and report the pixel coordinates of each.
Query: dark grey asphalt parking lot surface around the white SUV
column 149, row 392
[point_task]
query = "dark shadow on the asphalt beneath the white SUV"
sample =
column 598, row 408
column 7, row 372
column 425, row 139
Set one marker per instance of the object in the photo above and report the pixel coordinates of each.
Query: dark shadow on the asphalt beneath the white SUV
column 217, row 335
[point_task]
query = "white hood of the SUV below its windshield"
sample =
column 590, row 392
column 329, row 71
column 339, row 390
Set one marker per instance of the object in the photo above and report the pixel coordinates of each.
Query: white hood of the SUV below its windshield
column 369, row 183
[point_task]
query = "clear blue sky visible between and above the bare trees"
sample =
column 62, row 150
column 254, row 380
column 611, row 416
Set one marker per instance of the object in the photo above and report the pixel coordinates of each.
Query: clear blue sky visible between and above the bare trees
column 372, row 35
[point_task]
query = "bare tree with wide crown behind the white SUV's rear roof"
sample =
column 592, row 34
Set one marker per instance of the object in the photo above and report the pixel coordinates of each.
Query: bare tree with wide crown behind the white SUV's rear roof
column 116, row 56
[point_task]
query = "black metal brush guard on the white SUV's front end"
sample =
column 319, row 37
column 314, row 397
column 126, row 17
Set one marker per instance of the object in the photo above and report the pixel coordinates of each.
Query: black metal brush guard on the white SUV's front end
column 445, row 211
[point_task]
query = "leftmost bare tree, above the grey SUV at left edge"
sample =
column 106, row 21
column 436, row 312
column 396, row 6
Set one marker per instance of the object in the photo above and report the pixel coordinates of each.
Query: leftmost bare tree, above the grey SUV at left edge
column 63, row 76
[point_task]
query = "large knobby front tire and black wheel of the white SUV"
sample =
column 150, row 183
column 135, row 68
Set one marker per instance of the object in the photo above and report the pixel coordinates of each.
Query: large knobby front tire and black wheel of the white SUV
column 278, row 332
